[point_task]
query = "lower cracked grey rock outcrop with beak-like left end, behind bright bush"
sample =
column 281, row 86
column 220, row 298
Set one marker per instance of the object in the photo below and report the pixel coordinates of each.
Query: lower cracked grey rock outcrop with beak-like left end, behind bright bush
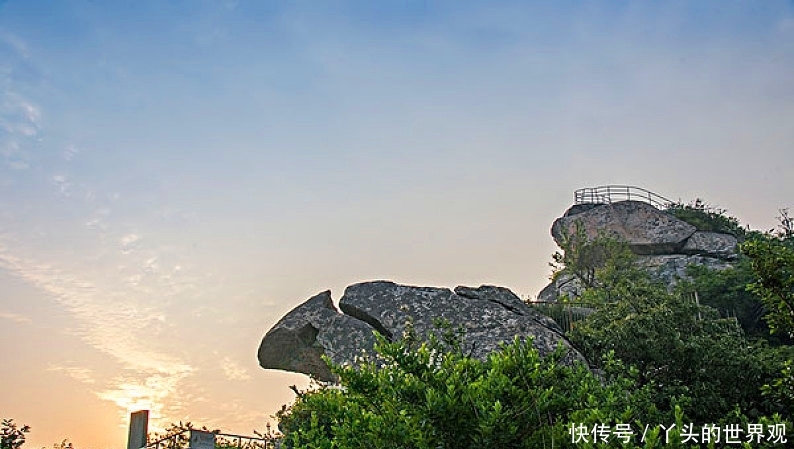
column 489, row 315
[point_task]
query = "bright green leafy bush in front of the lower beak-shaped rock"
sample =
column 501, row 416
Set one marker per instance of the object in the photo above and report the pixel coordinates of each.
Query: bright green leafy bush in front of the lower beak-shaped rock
column 431, row 395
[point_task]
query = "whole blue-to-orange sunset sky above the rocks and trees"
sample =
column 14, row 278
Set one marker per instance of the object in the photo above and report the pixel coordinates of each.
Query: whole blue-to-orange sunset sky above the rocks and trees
column 175, row 176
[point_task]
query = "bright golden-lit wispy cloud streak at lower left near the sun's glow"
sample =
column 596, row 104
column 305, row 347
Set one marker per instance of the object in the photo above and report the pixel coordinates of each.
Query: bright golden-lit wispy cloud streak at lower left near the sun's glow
column 116, row 324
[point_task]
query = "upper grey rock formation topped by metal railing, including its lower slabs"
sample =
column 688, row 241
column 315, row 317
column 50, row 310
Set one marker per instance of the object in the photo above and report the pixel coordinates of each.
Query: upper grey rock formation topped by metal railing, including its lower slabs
column 664, row 244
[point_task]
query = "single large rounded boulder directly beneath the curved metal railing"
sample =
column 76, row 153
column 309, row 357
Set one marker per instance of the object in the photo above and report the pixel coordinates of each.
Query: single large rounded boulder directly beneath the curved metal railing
column 646, row 229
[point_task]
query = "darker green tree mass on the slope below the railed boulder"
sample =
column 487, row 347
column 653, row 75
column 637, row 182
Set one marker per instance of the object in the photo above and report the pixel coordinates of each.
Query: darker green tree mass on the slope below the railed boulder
column 681, row 349
